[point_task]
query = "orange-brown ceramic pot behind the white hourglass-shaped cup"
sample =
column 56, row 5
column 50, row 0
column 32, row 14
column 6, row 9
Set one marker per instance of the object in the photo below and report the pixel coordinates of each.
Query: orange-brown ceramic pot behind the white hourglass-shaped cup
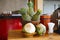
column 45, row 19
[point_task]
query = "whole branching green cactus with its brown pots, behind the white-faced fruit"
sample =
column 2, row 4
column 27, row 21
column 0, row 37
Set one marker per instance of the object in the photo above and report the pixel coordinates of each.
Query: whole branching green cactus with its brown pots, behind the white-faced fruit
column 28, row 14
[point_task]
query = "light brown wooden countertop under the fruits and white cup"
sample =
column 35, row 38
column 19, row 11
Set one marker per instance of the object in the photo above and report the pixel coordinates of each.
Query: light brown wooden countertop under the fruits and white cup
column 16, row 35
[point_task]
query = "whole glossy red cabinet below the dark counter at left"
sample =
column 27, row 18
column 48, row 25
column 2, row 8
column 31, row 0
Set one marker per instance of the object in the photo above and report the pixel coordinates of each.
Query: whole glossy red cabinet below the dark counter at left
column 7, row 24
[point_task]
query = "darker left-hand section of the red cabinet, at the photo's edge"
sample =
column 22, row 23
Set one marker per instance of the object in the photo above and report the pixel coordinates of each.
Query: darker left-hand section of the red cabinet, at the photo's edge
column 3, row 30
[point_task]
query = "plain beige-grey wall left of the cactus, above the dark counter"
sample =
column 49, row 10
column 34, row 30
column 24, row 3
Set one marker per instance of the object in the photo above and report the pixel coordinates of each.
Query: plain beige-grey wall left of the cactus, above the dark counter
column 12, row 5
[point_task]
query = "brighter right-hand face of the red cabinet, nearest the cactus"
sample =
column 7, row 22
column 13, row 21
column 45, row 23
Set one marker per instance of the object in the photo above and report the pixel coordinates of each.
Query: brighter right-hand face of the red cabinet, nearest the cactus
column 14, row 24
